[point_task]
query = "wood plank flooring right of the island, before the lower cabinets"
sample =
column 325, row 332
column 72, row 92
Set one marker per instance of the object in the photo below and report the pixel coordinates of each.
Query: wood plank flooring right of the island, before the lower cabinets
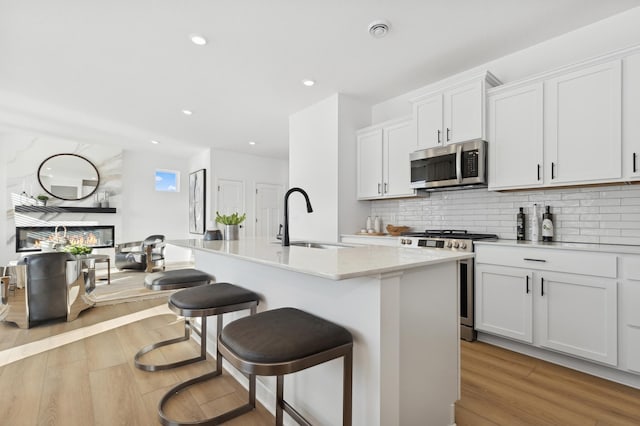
column 500, row 387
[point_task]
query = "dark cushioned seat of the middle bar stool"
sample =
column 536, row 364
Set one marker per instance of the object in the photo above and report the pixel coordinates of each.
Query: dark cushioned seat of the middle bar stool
column 211, row 296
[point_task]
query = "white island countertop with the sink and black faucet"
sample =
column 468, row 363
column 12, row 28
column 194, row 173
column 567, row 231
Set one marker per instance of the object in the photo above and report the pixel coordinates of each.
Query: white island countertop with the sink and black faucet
column 332, row 263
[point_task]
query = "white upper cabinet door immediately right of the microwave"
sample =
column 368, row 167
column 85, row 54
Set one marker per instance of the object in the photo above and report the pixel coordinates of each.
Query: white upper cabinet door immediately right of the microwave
column 515, row 131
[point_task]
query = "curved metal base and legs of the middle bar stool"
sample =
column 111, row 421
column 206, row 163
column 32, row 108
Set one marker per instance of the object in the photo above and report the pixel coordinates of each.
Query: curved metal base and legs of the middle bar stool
column 224, row 417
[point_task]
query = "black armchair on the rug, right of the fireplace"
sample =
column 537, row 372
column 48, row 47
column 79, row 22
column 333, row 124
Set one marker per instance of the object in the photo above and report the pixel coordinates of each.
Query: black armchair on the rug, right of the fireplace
column 141, row 255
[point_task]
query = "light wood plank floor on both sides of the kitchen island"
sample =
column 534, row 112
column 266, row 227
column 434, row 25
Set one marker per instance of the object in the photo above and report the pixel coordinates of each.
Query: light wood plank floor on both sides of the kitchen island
column 94, row 382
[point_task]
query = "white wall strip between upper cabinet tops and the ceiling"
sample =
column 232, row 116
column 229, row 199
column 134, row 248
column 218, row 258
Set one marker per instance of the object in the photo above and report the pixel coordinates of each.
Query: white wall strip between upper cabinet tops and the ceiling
column 616, row 32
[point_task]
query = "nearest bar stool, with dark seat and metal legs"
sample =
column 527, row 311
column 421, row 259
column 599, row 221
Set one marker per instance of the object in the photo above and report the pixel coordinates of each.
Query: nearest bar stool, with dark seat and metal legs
column 283, row 341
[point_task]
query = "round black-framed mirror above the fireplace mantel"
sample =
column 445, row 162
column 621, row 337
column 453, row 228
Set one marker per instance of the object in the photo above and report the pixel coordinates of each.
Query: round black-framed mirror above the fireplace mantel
column 68, row 176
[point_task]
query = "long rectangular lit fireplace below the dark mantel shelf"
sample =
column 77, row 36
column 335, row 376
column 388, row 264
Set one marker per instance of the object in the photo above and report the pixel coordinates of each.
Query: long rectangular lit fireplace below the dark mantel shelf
column 28, row 238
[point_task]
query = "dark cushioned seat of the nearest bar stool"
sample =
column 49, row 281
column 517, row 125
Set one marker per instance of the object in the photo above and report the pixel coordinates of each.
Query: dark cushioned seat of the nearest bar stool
column 282, row 335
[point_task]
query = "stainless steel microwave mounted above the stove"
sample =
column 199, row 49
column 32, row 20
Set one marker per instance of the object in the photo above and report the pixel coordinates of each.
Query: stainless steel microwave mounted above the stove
column 454, row 166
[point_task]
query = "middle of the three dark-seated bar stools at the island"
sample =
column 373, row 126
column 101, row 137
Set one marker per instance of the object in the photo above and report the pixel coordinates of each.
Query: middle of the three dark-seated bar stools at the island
column 204, row 301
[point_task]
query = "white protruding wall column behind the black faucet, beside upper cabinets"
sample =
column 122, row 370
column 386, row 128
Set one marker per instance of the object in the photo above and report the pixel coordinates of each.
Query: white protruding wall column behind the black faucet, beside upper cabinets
column 322, row 153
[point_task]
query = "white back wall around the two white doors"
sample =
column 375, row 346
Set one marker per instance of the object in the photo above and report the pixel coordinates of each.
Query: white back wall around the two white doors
column 251, row 169
